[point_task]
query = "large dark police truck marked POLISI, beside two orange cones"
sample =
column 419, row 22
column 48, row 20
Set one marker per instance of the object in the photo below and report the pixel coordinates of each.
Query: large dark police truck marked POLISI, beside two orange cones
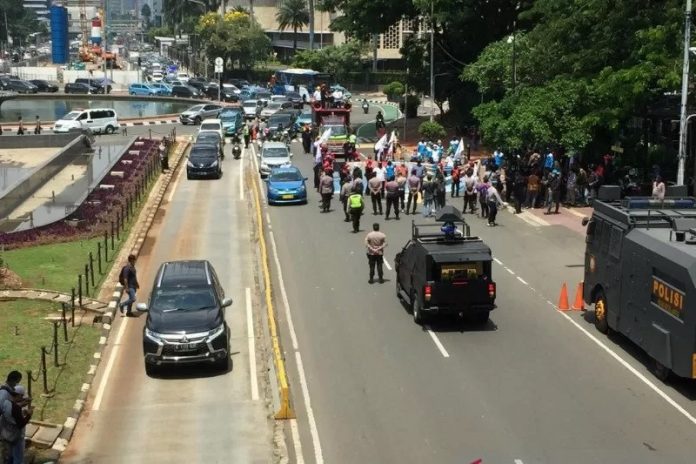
column 640, row 274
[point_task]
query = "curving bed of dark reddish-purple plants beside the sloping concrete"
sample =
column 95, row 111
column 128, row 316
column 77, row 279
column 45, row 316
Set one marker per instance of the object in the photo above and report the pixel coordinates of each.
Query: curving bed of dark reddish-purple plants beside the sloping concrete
column 101, row 207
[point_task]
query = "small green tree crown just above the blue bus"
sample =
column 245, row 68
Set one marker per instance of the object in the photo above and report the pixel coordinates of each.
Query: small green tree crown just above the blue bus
column 337, row 60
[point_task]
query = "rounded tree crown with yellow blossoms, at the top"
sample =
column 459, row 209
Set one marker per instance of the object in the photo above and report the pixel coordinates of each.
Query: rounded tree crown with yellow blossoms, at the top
column 235, row 37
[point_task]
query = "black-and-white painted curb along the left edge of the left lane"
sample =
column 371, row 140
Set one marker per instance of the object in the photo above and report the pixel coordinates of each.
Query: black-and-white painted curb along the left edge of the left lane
column 65, row 435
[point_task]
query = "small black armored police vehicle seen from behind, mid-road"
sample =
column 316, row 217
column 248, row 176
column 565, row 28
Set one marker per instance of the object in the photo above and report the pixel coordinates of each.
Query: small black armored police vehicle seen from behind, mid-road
column 444, row 270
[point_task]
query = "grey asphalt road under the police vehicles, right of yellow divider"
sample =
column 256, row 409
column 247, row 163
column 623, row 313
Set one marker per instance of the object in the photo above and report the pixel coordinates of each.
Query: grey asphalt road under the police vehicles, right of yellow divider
column 533, row 386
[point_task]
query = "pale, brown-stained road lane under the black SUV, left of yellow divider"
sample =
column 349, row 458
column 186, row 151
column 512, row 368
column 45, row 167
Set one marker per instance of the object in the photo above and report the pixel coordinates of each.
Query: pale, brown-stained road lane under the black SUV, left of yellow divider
column 192, row 414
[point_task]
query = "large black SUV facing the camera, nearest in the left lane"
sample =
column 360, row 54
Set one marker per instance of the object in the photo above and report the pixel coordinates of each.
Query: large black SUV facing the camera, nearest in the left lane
column 186, row 318
